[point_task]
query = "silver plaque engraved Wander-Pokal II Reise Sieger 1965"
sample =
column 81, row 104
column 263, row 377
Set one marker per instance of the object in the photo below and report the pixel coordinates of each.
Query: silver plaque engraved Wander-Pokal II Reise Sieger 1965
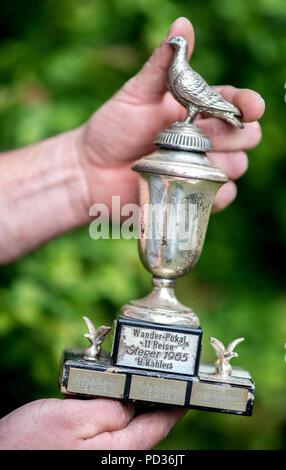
column 162, row 350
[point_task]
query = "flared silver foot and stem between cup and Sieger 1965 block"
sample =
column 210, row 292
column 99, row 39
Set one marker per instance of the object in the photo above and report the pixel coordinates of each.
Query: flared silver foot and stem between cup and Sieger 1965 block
column 161, row 306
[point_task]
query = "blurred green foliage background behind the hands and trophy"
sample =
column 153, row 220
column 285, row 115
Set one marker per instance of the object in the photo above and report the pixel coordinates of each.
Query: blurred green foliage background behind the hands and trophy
column 59, row 61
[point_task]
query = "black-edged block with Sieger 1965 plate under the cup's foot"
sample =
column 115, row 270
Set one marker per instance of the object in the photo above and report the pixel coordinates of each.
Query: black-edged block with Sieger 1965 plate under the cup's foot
column 150, row 346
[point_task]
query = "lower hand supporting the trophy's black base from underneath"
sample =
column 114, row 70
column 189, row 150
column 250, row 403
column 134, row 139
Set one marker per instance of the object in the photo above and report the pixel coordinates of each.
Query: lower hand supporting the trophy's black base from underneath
column 72, row 424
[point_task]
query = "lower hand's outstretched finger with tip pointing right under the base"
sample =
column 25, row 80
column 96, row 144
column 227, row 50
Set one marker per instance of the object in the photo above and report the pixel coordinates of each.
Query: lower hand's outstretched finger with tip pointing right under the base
column 144, row 432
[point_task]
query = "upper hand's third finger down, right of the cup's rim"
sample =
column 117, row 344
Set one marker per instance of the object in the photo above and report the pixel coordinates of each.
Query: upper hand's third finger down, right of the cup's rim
column 233, row 164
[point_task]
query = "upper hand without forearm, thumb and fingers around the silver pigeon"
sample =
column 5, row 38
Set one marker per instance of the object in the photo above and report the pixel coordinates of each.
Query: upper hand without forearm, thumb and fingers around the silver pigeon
column 123, row 129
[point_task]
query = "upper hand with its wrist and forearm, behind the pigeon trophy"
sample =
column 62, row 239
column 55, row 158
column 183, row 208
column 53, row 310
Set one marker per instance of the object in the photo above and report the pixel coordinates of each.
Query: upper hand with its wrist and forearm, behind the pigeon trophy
column 50, row 186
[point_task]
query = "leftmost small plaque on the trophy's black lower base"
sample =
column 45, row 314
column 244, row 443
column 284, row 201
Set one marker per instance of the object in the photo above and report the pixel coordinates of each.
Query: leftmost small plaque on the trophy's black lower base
column 92, row 382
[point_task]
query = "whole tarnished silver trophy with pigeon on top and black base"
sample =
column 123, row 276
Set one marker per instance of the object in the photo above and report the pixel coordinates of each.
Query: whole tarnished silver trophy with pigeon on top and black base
column 157, row 341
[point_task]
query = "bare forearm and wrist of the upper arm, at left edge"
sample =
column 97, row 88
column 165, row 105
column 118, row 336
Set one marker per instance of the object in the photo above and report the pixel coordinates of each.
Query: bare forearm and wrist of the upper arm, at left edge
column 43, row 193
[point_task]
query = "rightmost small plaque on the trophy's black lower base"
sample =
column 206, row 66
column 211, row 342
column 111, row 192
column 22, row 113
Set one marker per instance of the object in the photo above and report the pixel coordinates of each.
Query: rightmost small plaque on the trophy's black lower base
column 219, row 396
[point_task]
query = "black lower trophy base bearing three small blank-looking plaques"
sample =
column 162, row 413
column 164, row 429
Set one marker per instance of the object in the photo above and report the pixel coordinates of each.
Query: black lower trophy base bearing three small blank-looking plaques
column 82, row 378
